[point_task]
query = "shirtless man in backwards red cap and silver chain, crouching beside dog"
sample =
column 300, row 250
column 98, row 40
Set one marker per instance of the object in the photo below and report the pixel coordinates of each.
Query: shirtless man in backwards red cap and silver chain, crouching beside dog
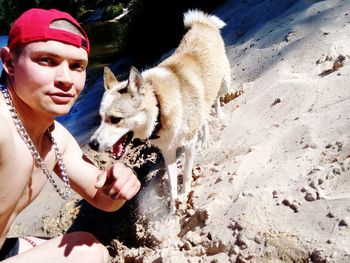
column 44, row 68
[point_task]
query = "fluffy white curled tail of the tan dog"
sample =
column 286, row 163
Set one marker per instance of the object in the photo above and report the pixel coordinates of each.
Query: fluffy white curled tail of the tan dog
column 196, row 16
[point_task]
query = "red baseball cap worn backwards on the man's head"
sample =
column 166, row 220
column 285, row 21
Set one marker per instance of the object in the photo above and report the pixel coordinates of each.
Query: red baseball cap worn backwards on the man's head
column 34, row 25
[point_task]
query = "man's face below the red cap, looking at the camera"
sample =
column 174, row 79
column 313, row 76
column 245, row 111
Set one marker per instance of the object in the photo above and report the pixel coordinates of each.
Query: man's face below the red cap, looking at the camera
column 49, row 76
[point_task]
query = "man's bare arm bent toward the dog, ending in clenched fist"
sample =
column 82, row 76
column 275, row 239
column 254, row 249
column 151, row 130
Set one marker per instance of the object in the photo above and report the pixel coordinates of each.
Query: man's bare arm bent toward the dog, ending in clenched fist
column 106, row 190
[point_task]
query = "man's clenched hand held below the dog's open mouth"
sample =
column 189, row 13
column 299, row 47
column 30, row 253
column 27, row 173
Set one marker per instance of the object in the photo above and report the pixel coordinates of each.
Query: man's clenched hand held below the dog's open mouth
column 118, row 182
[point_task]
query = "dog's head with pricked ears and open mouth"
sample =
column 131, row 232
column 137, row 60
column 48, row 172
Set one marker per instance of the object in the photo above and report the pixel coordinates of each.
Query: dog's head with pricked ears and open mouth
column 121, row 112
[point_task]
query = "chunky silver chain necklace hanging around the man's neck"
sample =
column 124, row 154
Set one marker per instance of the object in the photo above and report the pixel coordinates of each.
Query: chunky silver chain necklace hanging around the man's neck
column 65, row 192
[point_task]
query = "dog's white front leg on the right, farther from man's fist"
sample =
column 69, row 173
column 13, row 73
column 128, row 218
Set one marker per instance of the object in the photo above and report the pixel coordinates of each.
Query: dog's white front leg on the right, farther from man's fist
column 189, row 161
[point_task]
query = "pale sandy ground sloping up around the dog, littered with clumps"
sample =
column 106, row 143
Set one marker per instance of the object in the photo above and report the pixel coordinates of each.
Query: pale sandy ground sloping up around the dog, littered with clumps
column 274, row 186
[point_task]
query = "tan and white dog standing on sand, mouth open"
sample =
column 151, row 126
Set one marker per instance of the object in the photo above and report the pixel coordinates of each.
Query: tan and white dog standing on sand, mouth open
column 169, row 104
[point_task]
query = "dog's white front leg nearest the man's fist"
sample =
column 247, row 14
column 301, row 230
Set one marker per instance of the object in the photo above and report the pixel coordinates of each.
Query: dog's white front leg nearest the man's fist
column 170, row 162
